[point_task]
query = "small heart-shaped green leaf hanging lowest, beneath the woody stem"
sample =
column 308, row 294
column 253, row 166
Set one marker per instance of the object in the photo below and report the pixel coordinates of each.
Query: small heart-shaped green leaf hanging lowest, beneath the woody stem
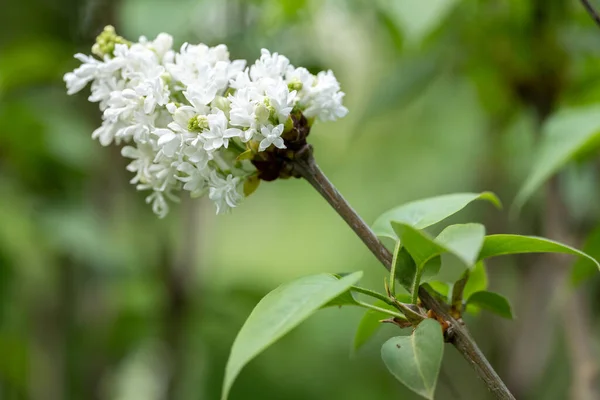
column 416, row 360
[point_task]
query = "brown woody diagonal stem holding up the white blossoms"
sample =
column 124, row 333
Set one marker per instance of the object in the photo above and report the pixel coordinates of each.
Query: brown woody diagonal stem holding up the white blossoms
column 457, row 333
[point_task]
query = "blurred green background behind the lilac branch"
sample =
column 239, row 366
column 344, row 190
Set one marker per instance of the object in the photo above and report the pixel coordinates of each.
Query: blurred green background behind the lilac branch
column 99, row 299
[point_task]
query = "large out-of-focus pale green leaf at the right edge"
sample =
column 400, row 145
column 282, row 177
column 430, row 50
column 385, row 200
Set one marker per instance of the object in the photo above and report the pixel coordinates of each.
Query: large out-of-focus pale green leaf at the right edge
column 565, row 136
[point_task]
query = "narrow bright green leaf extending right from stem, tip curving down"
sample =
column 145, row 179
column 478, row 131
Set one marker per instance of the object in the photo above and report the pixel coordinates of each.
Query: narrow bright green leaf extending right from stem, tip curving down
column 497, row 245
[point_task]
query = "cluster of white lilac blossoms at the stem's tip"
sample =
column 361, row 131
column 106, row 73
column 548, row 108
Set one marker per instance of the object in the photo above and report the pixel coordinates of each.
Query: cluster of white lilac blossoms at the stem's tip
column 189, row 118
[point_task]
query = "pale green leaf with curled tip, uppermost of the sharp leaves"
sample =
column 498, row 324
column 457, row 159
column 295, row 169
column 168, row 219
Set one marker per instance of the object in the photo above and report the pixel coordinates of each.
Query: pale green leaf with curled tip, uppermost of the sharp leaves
column 426, row 212
